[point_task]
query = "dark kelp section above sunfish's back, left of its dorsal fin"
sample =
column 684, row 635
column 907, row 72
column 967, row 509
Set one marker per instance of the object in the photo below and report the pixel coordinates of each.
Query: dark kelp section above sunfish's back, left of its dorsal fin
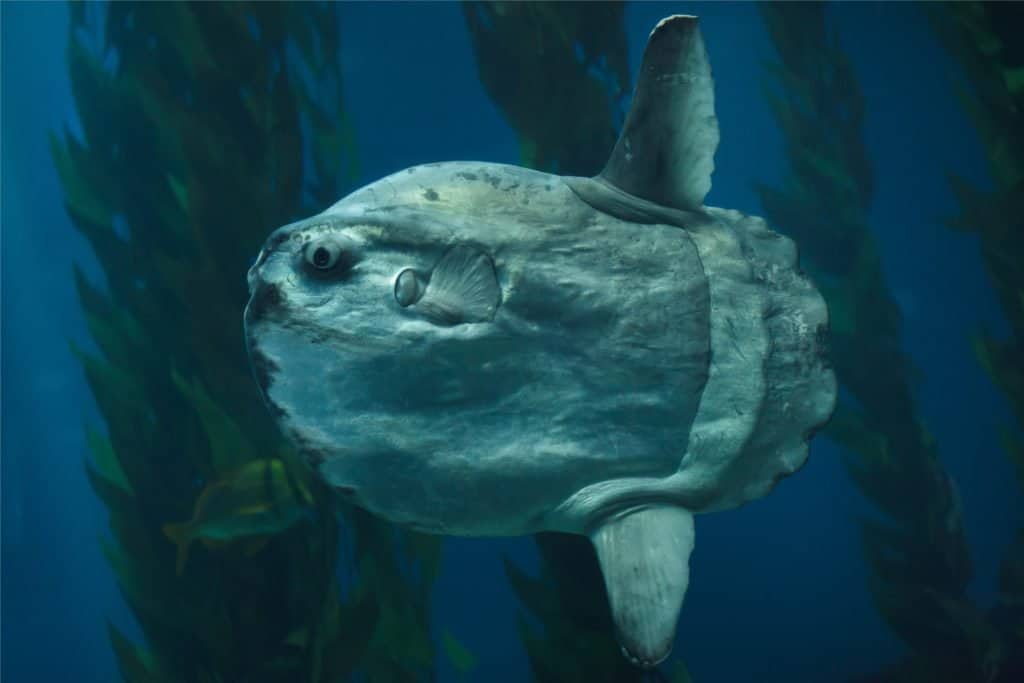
column 560, row 74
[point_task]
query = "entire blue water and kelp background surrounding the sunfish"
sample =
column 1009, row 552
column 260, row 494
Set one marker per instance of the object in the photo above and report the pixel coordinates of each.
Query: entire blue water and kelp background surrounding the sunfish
column 140, row 180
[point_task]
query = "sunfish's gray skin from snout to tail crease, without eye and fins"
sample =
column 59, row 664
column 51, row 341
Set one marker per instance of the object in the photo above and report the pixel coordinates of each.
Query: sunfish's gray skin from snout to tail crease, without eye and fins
column 591, row 369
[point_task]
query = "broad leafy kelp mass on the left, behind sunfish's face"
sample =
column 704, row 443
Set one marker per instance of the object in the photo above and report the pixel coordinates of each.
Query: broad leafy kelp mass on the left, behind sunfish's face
column 203, row 127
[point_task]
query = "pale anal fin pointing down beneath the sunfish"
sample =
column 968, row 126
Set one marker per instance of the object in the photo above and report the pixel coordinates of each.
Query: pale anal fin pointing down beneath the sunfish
column 645, row 557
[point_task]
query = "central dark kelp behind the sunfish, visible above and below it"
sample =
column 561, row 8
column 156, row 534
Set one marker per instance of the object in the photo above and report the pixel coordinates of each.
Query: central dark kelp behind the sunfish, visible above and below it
column 560, row 74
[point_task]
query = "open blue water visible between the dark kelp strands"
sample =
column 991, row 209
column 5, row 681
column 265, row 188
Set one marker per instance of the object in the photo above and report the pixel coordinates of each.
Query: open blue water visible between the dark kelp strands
column 778, row 588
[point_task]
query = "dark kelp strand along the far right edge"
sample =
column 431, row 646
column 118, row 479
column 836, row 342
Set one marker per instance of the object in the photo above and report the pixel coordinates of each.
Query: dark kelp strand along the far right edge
column 985, row 38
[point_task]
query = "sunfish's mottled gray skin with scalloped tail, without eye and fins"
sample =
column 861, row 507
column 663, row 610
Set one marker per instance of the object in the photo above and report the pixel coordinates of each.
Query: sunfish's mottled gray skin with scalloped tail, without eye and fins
column 579, row 399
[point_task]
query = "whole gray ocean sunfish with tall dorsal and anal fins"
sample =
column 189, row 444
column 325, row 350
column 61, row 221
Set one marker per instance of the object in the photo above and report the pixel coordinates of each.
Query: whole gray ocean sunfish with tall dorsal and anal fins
column 481, row 350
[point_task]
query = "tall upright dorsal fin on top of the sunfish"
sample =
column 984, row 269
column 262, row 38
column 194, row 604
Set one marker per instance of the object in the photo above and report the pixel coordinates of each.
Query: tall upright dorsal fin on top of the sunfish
column 666, row 153
